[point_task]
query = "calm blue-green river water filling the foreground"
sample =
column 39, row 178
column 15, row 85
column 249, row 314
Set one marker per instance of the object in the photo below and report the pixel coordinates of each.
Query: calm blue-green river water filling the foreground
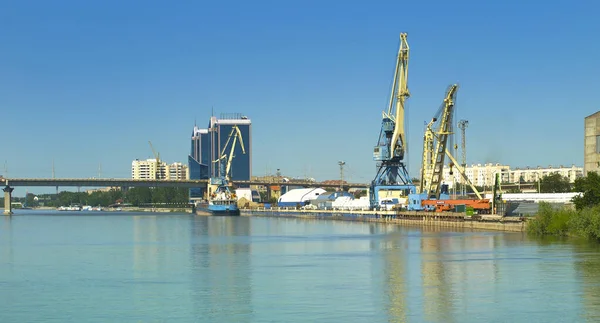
column 124, row 267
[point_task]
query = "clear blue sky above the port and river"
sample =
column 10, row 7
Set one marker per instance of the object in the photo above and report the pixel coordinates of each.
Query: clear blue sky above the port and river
column 85, row 83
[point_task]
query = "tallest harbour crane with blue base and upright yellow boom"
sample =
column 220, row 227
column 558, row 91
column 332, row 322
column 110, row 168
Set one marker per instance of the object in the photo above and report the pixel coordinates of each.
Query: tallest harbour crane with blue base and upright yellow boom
column 391, row 148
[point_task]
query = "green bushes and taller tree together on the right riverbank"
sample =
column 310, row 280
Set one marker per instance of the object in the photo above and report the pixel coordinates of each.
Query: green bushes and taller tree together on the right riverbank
column 583, row 221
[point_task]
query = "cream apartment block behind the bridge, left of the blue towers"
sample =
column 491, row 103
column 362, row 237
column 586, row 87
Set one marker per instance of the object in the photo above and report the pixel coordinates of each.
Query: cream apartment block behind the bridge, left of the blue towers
column 156, row 169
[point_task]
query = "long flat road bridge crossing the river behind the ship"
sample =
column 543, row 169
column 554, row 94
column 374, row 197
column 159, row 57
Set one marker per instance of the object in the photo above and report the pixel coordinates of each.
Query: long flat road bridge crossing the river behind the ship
column 10, row 183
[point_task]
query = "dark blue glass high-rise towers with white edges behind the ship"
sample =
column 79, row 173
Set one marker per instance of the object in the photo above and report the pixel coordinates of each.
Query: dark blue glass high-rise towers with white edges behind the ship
column 207, row 147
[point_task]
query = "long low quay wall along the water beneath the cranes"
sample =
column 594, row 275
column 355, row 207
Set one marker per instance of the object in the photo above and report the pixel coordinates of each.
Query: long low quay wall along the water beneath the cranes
column 423, row 219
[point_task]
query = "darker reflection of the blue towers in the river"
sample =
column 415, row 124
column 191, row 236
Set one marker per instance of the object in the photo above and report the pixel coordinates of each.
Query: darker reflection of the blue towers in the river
column 221, row 269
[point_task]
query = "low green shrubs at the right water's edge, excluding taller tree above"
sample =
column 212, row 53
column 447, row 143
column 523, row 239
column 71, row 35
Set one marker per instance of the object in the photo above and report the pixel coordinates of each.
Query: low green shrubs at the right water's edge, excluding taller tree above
column 584, row 223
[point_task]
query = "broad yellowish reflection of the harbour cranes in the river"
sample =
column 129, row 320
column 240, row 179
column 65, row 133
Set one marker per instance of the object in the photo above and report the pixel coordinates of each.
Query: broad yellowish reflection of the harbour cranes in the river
column 436, row 275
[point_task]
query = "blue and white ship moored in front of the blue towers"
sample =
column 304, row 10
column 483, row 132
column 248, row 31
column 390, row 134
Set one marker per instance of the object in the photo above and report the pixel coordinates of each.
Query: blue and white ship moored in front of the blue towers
column 221, row 202
